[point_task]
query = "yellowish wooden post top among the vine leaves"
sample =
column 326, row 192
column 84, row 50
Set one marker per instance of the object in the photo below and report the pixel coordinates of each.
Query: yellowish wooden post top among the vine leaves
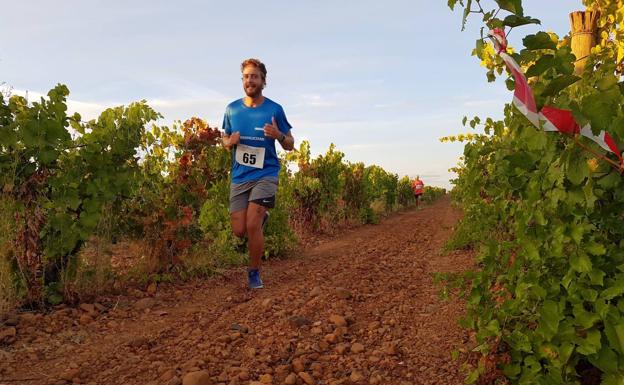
column 584, row 31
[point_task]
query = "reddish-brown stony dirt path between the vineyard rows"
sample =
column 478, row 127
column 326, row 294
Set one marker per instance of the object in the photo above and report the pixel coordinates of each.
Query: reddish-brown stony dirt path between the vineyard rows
column 359, row 309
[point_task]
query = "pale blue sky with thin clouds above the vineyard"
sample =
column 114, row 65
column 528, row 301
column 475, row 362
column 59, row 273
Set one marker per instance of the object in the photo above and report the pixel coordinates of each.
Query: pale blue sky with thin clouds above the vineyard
column 382, row 80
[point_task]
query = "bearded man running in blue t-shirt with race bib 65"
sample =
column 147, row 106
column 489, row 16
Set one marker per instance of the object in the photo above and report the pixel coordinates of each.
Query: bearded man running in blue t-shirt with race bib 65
column 252, row 125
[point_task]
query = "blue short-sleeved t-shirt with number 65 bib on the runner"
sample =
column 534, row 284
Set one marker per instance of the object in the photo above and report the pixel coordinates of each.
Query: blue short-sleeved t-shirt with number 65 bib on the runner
column 250, row 121
